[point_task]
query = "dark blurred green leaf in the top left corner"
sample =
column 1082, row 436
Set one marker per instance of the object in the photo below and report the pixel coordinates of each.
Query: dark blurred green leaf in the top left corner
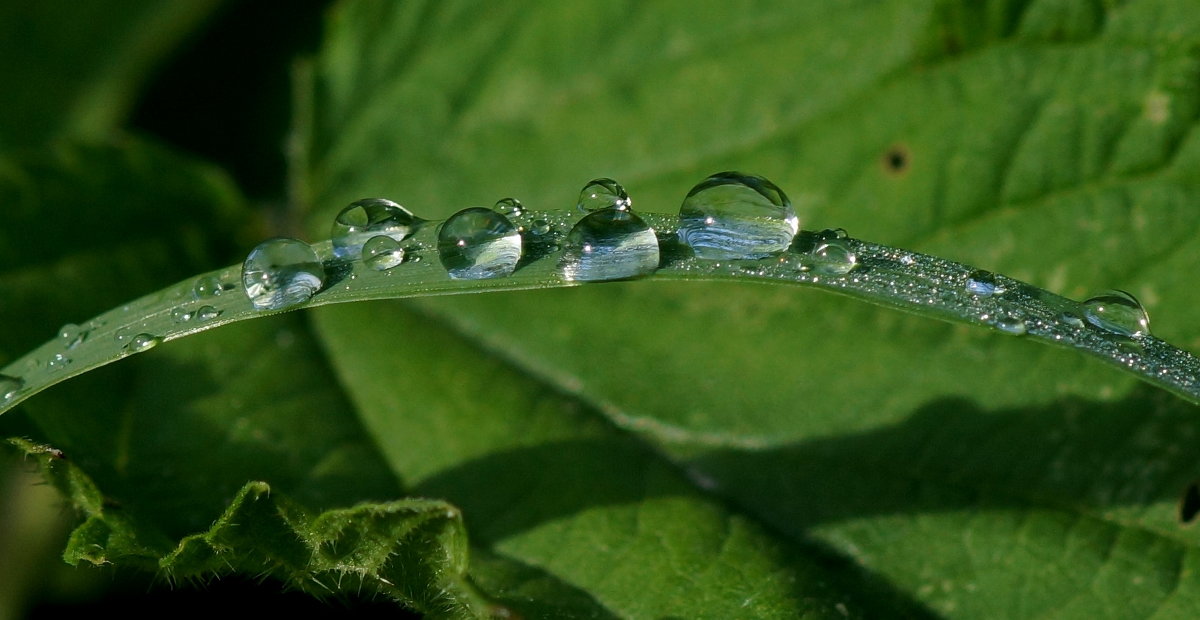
column 74, row 69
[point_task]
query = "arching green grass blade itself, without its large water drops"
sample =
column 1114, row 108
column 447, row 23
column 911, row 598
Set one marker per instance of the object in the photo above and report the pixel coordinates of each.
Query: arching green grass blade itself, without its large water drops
column 919, row 284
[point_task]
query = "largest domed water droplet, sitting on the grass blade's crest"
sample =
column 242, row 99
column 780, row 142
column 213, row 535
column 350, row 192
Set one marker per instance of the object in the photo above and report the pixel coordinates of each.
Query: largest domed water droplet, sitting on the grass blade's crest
column 734, row 215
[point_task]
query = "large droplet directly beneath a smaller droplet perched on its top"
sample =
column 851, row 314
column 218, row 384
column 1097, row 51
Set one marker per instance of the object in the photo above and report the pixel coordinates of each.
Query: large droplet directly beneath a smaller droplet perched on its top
column 610, row 245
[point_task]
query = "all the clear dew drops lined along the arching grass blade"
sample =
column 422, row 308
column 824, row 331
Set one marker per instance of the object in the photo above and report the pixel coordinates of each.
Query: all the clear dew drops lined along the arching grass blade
column 729, row 216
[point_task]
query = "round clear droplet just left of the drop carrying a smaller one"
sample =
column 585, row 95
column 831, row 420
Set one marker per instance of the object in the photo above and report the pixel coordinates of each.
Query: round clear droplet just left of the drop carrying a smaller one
column 477, row 244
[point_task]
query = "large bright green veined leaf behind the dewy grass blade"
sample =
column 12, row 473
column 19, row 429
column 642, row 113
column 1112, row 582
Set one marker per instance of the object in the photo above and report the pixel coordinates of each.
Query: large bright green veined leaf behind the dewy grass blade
column 975, row 474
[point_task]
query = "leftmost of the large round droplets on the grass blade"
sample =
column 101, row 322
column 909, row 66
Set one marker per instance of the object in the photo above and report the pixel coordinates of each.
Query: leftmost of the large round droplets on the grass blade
column 281, row 274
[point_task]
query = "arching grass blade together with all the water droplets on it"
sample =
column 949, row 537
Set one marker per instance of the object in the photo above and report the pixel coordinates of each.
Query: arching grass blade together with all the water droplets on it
column 730, row 224
